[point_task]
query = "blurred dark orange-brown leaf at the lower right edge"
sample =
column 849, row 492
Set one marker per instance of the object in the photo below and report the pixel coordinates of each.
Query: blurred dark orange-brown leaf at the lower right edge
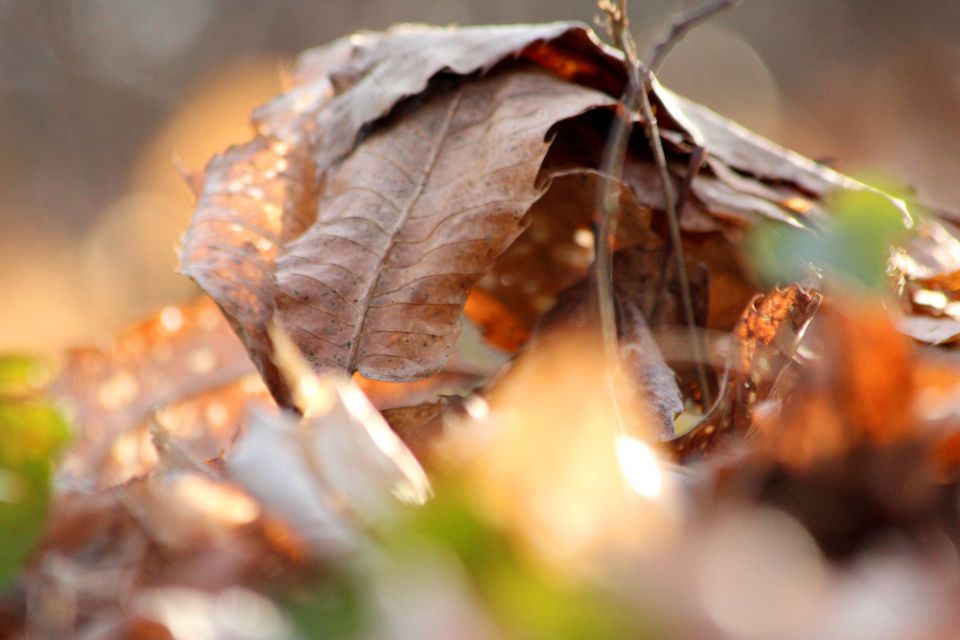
column 864, row 446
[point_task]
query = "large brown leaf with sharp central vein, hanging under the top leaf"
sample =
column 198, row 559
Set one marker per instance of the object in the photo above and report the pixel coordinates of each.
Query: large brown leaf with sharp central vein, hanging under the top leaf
column 408, row 222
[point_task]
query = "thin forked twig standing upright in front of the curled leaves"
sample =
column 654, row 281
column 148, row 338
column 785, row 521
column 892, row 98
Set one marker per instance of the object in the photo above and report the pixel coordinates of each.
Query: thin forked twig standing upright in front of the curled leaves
column 636, row 96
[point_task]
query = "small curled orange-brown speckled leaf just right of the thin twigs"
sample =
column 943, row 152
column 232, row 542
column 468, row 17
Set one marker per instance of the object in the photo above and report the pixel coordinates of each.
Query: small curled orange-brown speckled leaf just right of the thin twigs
column 766, row 339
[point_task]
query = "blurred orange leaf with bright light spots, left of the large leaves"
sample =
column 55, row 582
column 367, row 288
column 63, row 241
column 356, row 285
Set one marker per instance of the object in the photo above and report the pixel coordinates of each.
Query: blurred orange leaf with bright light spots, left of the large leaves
column 163, row 364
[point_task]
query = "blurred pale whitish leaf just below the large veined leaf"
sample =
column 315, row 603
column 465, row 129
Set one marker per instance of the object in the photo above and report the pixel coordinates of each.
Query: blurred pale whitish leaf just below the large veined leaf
column 343, row 466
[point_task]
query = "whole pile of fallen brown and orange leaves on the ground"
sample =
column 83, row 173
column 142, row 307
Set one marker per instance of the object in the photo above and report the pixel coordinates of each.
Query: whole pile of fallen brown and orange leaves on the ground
column 392, row 416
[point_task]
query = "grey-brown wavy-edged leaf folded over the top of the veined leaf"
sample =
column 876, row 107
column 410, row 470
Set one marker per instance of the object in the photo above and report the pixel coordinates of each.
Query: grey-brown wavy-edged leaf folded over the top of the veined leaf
column 342, row 87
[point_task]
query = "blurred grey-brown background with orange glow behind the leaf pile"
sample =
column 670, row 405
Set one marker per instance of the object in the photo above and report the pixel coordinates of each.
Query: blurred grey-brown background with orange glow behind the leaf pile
column 100, row 98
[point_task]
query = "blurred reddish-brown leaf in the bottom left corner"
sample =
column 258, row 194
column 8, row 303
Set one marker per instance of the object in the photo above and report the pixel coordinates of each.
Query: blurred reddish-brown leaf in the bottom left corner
column 103, row 549
